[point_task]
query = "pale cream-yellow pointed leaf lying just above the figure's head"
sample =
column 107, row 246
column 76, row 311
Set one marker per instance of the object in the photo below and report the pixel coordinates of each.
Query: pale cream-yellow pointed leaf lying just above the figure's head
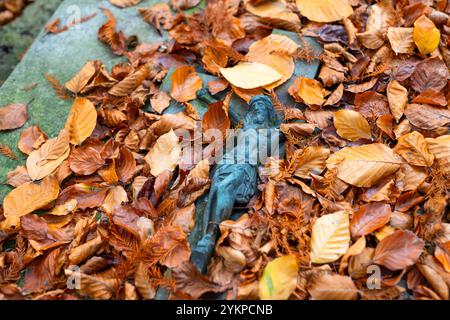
column 250, row 75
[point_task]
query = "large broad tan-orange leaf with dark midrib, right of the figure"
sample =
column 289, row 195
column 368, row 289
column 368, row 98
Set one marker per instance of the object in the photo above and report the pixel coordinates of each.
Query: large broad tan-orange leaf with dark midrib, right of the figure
column 363, row 166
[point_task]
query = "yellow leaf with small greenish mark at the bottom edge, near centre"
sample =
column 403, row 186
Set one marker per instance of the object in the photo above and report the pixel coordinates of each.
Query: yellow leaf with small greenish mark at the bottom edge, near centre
column 279, row 278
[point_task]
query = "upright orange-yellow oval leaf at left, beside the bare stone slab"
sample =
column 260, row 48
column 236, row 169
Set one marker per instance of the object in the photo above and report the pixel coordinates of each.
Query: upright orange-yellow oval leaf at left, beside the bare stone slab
column 81, row 121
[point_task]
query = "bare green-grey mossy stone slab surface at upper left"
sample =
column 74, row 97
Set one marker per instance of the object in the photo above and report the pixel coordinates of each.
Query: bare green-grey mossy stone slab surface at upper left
column 62, row 55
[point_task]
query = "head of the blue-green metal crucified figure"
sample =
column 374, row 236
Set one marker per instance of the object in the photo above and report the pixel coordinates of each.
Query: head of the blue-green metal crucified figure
column 261, row 113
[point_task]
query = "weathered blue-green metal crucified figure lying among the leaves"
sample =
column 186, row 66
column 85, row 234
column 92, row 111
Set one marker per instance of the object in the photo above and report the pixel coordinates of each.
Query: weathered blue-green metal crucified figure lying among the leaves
column 234, row 179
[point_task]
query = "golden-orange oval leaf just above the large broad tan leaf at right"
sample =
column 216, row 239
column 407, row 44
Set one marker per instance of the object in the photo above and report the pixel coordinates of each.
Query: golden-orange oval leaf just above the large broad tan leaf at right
column 351, row 125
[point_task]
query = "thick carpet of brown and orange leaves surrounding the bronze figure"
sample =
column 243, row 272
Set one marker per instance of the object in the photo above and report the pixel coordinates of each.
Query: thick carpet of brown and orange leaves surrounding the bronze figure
column 358, row 208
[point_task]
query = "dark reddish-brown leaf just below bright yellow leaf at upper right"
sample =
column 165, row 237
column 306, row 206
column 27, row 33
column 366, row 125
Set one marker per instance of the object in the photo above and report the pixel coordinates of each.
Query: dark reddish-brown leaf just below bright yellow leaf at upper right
column 431, row 73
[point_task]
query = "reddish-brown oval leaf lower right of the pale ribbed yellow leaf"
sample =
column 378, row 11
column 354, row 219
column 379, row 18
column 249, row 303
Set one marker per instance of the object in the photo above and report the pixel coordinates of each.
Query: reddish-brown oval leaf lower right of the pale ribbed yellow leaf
column 398, row 250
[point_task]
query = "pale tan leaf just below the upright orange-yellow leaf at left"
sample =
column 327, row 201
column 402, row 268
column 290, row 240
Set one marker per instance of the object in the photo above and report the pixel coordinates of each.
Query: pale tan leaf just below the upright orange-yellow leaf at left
column 49, row 156
